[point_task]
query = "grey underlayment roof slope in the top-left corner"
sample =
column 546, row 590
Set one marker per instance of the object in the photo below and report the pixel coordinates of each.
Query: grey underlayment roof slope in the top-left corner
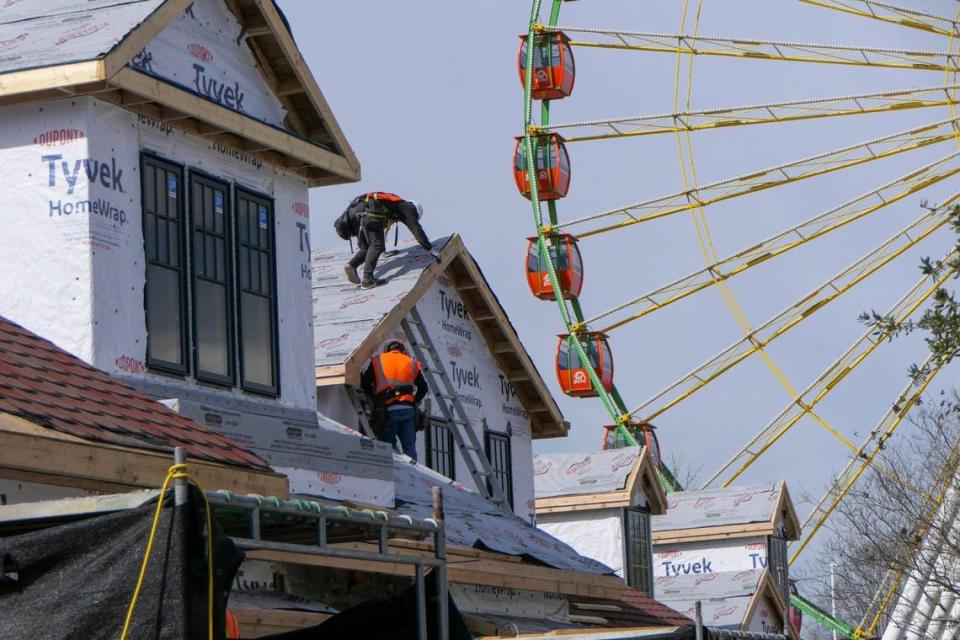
column 42, row 33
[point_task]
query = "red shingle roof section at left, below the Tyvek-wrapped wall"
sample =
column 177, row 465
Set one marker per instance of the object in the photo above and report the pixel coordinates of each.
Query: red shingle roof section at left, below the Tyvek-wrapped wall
column 46, row 385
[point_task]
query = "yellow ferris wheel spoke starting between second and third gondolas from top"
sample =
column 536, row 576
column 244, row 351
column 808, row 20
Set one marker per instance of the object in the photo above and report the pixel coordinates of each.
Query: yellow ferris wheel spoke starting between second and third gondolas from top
column 769, row 178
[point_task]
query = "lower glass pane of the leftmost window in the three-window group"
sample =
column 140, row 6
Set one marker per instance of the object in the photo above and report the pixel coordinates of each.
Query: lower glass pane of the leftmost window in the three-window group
column 163, row 315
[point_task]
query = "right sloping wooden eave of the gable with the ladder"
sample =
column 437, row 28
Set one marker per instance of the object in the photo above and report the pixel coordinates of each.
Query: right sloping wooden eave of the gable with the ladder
column 480, row 286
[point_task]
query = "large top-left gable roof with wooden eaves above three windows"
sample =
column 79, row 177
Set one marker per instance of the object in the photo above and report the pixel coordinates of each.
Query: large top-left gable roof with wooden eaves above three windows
column 59, row 48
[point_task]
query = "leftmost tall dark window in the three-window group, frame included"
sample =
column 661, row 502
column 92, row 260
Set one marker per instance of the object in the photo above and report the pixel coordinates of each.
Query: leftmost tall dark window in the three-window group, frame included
column 163, row 236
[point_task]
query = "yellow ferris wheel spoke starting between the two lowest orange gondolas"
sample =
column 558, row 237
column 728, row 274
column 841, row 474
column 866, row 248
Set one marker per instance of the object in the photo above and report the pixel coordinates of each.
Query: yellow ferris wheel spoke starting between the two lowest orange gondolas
column 796, row 313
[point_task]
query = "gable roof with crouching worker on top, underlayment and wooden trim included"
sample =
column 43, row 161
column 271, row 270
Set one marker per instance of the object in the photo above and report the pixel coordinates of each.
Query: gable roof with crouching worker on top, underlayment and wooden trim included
column 350, row 324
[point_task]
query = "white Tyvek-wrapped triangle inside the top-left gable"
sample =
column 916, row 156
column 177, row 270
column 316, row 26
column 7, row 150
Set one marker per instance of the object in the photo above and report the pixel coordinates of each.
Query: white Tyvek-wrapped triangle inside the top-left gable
column 205, row 51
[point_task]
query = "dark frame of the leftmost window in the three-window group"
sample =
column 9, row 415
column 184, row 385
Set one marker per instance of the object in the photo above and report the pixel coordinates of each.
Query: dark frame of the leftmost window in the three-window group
column 156, row 365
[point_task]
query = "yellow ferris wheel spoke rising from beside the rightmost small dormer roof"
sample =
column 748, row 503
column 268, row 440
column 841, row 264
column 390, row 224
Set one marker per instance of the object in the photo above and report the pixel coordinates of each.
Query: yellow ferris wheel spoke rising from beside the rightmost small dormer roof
column 866, row 454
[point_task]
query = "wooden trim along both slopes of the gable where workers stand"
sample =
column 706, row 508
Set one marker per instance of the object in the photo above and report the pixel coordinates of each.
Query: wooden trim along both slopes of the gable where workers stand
column 545, row 417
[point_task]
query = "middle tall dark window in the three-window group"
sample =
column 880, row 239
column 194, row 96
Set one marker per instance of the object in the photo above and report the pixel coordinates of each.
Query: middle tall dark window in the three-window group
column 210, row 218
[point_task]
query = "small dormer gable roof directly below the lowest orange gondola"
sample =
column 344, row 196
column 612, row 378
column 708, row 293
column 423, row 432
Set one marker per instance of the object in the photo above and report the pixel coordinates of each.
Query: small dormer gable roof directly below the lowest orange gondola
column 596, row 480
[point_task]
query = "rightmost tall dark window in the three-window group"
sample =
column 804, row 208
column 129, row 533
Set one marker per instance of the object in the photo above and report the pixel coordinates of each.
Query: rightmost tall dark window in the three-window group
column 258, row 301
